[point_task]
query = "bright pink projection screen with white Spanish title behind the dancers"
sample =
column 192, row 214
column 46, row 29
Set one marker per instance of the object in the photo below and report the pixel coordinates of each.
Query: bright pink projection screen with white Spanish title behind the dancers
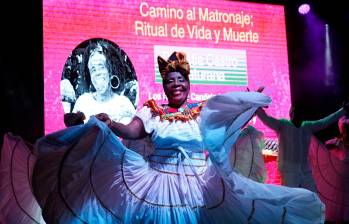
column 230, row 46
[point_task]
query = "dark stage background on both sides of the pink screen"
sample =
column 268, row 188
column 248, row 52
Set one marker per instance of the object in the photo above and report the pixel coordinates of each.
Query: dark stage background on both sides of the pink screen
column 317, row 92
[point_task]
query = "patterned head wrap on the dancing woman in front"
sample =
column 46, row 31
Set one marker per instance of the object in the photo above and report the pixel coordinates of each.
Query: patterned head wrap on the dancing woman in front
column 177, row 62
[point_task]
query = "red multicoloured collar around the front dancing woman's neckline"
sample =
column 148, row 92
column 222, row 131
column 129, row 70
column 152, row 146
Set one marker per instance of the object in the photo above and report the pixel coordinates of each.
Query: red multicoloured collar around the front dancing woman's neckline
column 185, row 113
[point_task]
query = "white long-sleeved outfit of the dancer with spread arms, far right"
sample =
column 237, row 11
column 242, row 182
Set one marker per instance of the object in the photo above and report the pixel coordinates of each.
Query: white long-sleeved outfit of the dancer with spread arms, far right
column 294, row 143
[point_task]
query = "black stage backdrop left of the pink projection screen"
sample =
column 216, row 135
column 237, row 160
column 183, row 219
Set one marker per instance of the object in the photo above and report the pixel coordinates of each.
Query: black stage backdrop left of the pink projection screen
column 21, row 73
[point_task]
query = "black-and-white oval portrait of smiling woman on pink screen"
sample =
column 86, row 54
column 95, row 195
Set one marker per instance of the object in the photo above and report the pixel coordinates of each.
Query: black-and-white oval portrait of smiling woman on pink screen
column 99, row 77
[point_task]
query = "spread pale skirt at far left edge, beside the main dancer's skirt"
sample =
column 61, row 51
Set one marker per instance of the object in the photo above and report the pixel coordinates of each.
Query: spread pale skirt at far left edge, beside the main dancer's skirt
column 17, row 203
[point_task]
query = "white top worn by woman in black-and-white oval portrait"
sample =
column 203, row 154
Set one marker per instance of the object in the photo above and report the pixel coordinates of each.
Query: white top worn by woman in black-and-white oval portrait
column 119, row 108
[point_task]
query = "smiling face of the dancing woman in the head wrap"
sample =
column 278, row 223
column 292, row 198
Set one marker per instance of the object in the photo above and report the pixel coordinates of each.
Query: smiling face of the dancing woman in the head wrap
column 176, row 88
